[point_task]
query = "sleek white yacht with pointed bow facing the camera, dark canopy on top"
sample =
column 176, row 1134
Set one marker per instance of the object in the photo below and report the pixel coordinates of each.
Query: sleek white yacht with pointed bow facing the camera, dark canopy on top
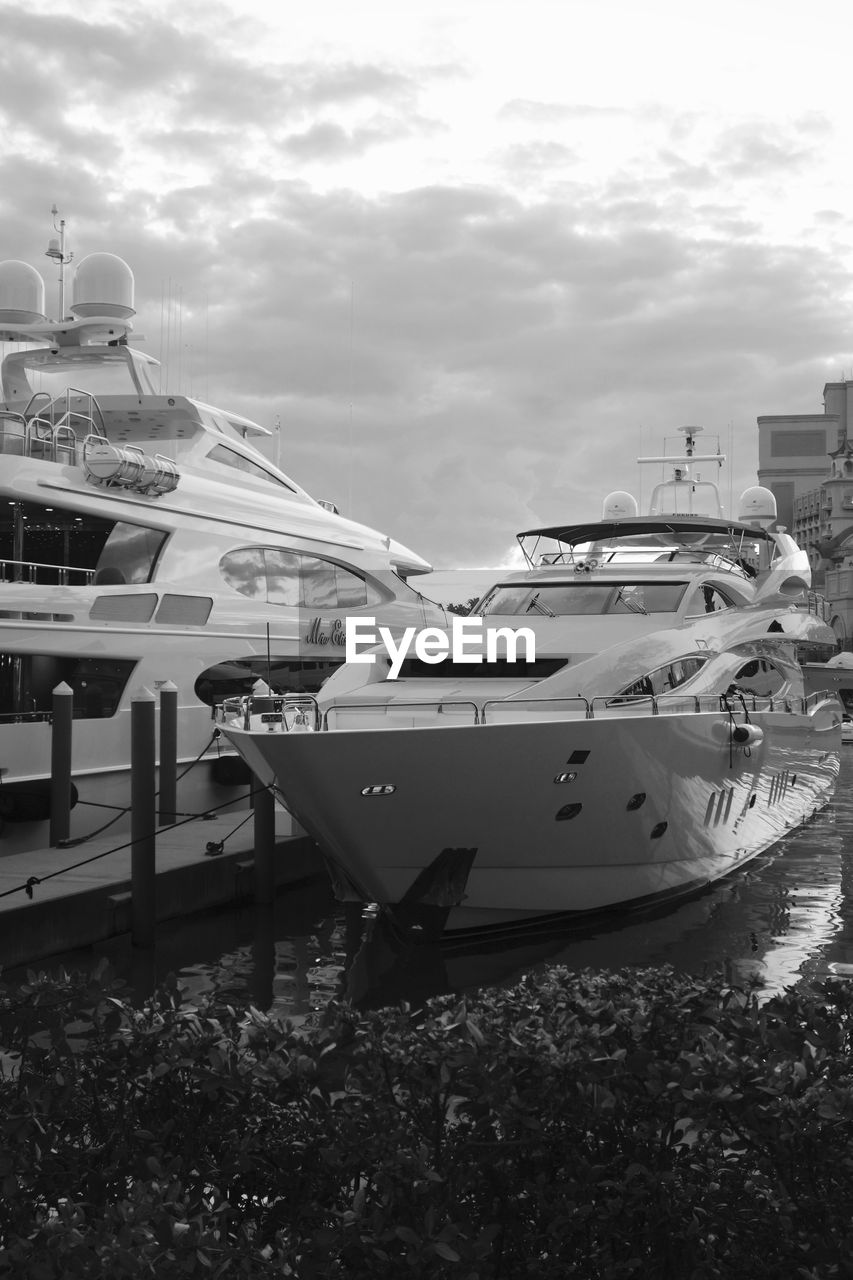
column 660, row 737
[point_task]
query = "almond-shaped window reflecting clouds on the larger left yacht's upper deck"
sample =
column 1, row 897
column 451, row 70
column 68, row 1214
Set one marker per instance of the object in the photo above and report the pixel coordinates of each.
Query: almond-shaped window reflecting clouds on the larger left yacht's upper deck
column 300, row 582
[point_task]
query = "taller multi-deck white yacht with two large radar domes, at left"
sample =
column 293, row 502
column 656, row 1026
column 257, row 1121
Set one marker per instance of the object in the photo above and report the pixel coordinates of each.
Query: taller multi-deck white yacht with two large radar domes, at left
column 147, row 540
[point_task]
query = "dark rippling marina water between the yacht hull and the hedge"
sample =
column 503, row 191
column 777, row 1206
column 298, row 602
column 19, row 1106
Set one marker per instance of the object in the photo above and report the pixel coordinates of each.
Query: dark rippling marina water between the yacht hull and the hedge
column 787, row 918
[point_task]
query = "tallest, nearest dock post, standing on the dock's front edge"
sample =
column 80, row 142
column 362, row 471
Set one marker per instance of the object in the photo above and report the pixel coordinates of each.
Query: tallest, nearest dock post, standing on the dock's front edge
column 143, row 821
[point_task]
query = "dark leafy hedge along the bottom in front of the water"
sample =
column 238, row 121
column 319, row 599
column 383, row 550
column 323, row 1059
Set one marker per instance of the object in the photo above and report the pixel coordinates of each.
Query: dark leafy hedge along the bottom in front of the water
column 635, row 1124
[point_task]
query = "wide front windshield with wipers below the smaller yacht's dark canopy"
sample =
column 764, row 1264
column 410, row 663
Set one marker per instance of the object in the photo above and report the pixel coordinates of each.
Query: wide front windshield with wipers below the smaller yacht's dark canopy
column 564, row 600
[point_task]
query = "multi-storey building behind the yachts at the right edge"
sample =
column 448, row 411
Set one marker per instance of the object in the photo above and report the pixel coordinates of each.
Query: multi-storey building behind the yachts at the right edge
column 806, row 460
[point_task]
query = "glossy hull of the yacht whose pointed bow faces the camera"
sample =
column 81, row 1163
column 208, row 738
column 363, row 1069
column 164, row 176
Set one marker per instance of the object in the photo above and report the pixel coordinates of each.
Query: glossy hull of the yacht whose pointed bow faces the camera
column 555, row 816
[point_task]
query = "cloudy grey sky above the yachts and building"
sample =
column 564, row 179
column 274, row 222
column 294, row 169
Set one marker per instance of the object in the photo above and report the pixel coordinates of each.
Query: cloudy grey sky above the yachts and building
column 475, row 257
